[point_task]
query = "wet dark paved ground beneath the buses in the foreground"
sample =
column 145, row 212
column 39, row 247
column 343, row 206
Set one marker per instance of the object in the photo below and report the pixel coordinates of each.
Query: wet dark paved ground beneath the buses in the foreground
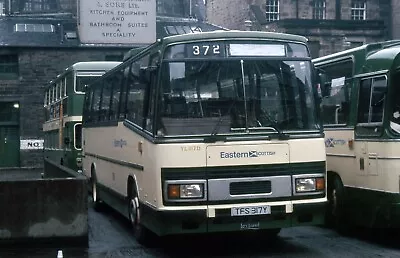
column 109, row 236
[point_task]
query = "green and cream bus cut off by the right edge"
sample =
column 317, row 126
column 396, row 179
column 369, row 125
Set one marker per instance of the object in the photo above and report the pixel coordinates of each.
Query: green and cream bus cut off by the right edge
column 360, row 108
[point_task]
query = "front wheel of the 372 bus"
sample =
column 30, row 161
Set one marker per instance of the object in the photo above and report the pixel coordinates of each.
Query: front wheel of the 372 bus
column 141, row 233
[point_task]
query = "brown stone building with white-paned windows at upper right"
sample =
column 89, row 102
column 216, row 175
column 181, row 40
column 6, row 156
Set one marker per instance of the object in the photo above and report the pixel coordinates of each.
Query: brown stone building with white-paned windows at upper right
column 330, row 26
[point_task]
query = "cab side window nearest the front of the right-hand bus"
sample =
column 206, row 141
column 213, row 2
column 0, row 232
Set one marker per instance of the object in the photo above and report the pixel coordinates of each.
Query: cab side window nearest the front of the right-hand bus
column 371, row 105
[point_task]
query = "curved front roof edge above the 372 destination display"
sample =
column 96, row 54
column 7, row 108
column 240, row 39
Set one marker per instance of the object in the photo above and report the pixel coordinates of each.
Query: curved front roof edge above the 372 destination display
column 233, row 34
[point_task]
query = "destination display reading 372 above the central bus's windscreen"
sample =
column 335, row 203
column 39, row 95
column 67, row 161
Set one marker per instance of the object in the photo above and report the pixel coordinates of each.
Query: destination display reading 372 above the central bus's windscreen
column 218, row 49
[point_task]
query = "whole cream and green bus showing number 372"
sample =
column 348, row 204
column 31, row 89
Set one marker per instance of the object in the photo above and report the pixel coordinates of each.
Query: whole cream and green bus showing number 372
column 208, row 132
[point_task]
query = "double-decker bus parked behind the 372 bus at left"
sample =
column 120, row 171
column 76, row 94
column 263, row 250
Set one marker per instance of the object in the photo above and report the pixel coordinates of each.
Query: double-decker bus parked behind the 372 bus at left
column 63, row 105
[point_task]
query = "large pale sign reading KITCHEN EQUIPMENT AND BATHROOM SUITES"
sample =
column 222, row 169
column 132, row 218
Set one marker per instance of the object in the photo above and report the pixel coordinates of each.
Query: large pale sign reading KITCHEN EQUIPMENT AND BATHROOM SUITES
column 117, row 21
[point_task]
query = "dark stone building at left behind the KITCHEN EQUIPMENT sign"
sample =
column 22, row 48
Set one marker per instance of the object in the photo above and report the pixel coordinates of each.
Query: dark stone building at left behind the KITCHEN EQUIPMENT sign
column 38, row 40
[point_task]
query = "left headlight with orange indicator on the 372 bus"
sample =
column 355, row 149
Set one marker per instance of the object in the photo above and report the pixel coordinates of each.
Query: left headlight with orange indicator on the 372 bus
column 185, row 190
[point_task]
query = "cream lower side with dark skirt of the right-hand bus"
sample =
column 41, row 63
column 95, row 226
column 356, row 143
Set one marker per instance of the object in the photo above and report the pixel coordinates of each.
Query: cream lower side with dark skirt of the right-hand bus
column 370, row 174
